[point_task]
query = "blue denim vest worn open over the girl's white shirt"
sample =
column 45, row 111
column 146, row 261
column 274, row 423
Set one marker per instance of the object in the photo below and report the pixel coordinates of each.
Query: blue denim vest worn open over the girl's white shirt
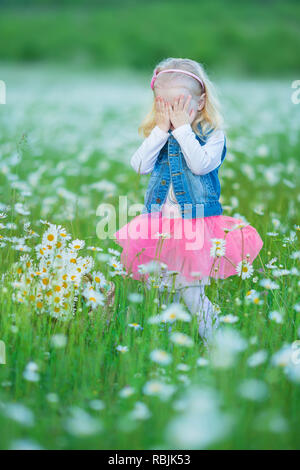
column 197, row 195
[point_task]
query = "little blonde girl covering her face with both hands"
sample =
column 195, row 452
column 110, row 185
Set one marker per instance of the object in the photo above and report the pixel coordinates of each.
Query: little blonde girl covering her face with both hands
column 181, row 225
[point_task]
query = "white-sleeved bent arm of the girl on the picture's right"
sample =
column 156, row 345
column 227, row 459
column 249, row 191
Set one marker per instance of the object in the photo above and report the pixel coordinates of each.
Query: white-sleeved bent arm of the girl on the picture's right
column 200, row 159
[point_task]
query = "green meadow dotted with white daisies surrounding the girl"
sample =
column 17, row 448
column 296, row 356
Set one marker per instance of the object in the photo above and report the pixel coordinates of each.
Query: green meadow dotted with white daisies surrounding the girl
column 63, row 132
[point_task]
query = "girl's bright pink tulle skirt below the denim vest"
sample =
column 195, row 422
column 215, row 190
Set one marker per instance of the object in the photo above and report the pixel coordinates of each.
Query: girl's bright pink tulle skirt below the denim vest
column 206, row 247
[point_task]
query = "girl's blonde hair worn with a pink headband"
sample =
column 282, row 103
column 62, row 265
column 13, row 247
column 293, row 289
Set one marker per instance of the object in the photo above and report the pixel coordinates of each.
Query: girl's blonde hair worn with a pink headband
column 209, row 117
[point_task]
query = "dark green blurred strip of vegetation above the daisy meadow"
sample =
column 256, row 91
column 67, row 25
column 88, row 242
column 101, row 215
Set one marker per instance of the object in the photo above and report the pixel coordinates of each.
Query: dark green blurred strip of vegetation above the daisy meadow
column 241, row 38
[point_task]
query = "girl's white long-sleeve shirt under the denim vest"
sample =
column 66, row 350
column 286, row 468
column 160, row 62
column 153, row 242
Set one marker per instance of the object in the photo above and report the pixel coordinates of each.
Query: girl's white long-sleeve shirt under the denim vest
column 200, row 159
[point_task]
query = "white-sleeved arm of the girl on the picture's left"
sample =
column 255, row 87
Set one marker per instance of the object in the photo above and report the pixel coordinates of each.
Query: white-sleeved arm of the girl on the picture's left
column 143, row 160
